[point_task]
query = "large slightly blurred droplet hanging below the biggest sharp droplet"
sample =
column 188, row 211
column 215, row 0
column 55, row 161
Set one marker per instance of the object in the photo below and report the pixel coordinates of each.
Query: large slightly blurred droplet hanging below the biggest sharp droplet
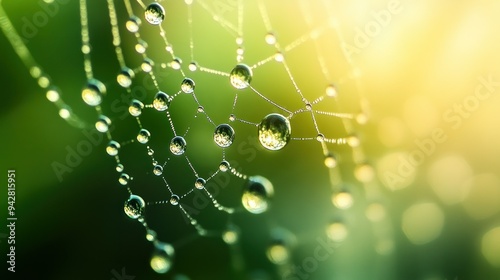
column 256, row 195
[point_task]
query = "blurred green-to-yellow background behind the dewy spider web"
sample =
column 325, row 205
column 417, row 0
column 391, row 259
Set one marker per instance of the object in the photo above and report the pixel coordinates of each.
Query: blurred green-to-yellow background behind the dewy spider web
column 414, row 72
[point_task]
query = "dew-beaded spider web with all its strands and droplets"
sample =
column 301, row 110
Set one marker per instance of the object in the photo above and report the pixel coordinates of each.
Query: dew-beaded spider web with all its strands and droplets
column 240, row 78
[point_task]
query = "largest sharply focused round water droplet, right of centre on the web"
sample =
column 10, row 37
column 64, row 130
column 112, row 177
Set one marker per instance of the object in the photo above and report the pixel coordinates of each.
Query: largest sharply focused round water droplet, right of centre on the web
column 274, row 132
